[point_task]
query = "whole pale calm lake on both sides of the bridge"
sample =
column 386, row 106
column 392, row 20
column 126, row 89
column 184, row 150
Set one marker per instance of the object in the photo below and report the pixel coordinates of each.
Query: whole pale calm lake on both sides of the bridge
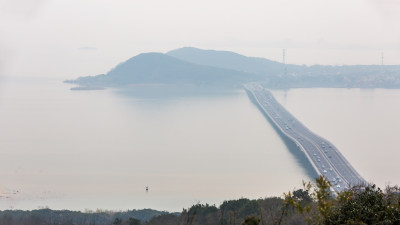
column 93, row 149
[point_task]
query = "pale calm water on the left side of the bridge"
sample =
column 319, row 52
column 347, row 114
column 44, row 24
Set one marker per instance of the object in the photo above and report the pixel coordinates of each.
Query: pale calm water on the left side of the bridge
column 100, row 149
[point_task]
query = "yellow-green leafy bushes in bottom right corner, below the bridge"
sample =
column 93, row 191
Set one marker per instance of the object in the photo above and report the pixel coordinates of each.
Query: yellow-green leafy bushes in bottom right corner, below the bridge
column 358, row 205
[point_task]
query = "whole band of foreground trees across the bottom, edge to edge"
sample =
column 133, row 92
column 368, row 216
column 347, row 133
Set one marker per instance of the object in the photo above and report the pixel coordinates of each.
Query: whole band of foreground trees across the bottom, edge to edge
column 313, row 204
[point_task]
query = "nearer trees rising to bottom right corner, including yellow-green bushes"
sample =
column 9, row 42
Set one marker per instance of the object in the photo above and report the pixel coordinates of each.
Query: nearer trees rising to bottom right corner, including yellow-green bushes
column 314, row 204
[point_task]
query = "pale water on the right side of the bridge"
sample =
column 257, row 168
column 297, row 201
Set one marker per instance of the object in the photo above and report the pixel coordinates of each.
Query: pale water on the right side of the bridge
column 363, row 123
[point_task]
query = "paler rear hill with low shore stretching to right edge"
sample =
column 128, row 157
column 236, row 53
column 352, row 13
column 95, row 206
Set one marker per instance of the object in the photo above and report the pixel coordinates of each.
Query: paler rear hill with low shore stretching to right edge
column 295, row 76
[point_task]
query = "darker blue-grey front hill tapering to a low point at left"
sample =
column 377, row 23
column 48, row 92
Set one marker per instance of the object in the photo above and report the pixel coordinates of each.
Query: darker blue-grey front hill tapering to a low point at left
column 158, row 68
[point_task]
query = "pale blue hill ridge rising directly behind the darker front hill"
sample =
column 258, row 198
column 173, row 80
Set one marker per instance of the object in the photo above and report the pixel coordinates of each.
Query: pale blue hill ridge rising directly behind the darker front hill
column 229, row 60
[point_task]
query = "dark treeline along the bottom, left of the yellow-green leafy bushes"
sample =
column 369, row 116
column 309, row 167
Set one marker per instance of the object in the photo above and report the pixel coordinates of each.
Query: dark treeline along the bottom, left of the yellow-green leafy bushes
column 229, row 212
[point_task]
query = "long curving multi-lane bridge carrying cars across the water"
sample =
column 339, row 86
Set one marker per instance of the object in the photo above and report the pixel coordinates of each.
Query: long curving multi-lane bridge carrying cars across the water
column 324, row 157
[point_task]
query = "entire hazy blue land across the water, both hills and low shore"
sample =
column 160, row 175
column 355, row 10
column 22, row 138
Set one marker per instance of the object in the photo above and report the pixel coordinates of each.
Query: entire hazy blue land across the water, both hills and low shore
column 222, row 69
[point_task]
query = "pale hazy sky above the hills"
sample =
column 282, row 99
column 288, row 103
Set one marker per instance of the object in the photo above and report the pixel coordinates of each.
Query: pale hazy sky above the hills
column 70, row 38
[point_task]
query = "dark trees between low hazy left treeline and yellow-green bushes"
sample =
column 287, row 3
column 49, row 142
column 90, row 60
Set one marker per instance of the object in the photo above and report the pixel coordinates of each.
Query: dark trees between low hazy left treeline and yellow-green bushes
column 268, row 210
